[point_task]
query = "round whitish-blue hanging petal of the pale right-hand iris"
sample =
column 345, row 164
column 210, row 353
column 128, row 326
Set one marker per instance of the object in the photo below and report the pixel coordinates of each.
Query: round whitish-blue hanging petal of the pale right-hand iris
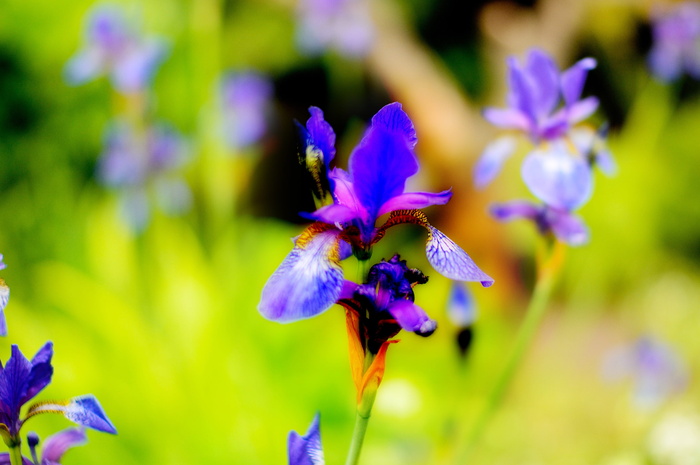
column 558, row 178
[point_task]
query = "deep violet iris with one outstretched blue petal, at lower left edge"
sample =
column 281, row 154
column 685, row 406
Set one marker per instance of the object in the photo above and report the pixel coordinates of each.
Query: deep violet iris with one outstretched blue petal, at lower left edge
column 22, row 379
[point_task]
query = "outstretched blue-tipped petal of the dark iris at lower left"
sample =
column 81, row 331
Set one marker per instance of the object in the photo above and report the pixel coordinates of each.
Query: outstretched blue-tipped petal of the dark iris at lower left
column 83, row 410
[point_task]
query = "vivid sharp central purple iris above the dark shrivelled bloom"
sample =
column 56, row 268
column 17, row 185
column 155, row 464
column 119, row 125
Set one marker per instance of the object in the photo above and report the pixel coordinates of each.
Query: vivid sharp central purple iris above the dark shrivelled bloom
column 310, row 279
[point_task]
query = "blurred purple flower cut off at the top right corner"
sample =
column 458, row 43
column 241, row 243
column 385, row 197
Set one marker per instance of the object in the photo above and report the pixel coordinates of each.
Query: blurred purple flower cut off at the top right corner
column 676, row 41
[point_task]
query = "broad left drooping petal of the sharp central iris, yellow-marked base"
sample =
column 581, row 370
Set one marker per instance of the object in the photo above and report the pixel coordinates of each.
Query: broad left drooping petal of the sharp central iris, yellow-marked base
column 308, row 281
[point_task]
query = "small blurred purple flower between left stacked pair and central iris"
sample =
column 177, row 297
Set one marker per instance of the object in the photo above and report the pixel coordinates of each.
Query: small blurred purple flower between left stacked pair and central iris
column 246, row 102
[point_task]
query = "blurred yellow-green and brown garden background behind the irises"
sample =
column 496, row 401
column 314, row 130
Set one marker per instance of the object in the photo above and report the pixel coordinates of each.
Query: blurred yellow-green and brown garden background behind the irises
column 162, row 325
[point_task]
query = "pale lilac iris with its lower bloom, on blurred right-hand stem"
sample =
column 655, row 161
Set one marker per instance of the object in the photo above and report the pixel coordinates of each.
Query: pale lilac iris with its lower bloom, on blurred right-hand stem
column 546, row 105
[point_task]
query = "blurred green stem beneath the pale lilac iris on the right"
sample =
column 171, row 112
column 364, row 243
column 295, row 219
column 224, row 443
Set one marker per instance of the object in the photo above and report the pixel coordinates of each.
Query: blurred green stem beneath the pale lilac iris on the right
column 547, row 273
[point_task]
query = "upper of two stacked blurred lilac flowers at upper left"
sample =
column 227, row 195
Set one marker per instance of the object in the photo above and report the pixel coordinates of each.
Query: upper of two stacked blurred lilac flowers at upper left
column 113, row 48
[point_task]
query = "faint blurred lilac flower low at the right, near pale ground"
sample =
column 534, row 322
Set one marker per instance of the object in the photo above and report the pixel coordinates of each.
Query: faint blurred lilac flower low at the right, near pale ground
column 655, row 369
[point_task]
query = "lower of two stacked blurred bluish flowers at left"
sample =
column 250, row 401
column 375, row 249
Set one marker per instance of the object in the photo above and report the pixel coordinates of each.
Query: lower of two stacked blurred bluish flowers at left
column 142, row 163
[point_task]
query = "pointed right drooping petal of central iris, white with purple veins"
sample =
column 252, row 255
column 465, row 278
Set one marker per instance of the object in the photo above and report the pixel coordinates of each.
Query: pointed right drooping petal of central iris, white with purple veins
column 451, row 261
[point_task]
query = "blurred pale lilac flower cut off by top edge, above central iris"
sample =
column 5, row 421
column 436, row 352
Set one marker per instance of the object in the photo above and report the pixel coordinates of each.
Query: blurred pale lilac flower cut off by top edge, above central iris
column 343, row 25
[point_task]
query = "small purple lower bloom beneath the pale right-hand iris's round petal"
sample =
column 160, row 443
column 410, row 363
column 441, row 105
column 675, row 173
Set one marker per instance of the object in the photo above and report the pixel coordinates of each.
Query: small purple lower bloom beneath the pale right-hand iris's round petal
column 561, row 222
